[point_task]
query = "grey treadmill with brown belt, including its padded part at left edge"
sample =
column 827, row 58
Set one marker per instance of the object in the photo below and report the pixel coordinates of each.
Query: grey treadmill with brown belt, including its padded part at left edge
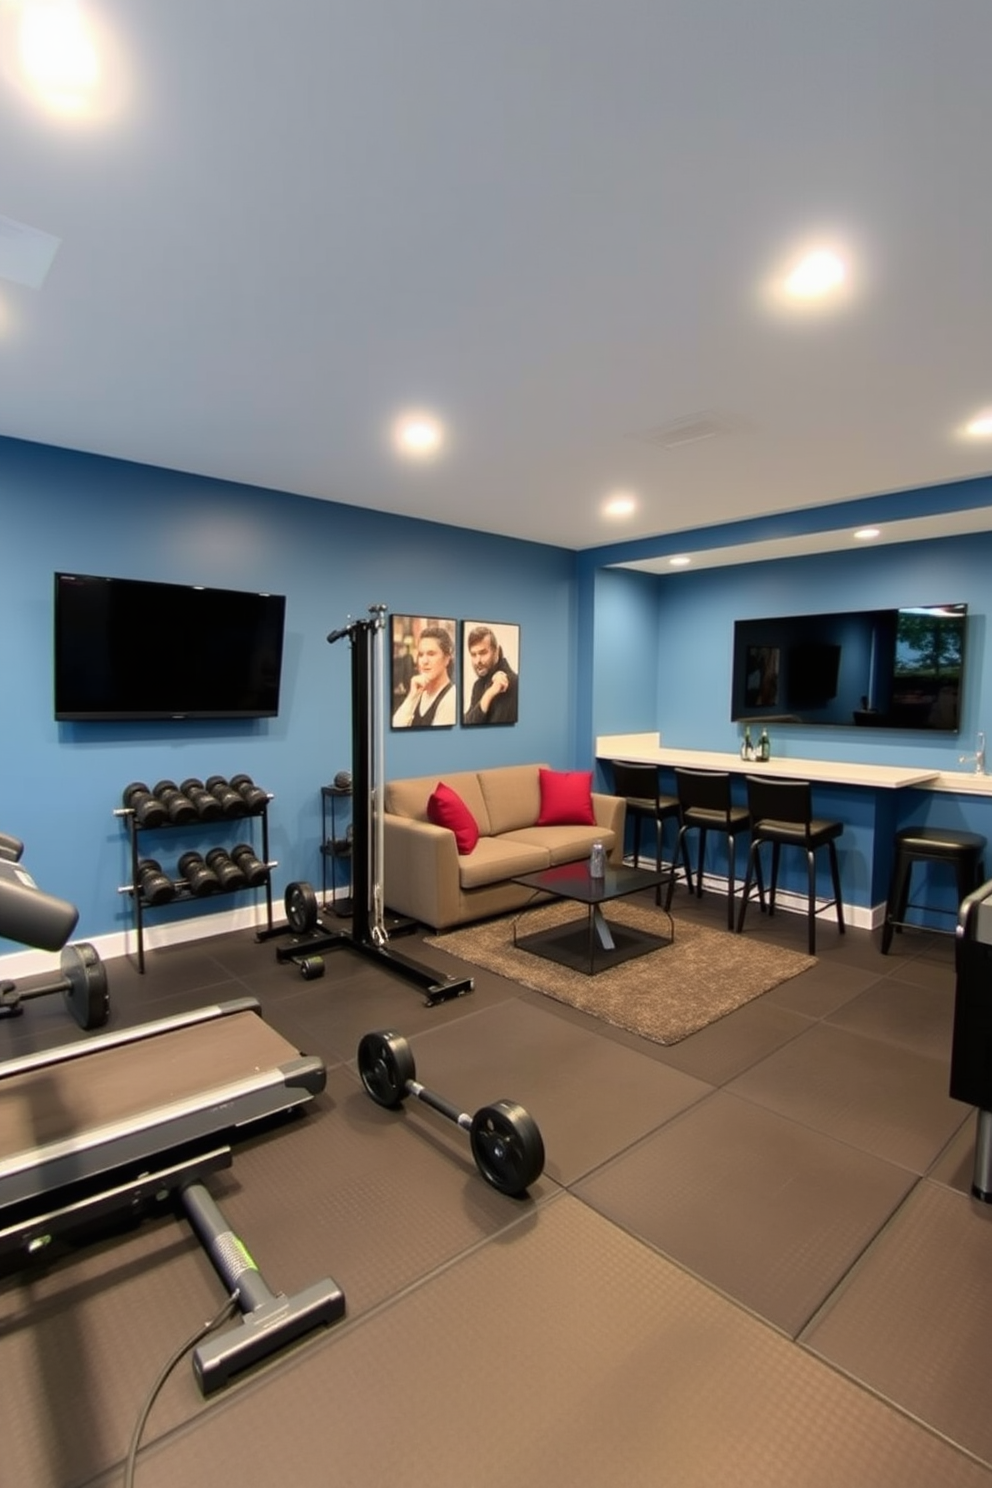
column 132, row 1120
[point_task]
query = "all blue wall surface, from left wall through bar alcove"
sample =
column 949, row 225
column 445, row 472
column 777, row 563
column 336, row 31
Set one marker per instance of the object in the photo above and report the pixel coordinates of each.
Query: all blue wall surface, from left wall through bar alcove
column 603, row 651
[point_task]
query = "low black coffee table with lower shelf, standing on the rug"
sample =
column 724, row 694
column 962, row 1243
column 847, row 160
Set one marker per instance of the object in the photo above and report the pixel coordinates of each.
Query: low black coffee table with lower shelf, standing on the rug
column 593, row 944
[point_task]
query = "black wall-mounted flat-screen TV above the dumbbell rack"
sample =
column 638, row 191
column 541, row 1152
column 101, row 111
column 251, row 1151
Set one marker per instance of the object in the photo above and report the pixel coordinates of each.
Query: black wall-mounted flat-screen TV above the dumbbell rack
column 133, row 650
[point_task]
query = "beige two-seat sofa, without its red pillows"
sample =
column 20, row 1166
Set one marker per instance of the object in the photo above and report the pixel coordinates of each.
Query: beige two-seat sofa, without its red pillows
column 428, row 880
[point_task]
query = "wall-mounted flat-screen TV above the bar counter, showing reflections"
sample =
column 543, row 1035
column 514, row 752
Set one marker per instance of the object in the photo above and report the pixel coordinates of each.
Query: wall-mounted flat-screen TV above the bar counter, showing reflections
column 862, row 669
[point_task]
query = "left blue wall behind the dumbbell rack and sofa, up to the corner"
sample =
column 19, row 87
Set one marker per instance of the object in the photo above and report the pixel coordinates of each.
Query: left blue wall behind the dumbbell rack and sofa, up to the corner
column 62, row 782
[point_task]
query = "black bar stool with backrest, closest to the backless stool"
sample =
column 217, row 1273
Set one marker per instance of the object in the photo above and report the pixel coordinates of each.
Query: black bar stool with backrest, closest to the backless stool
column 783, row 815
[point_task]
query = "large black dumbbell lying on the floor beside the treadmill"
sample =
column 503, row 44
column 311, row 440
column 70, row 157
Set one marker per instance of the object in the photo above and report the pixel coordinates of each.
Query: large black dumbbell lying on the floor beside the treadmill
column 506, row 1142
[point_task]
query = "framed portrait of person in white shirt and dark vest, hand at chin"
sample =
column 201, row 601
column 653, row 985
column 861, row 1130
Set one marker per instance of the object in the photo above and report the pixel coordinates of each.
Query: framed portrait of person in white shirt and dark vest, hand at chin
column 423, row 673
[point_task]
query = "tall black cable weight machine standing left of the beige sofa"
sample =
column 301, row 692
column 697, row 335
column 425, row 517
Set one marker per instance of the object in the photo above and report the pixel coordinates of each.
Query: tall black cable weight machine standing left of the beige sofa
column 368, row 932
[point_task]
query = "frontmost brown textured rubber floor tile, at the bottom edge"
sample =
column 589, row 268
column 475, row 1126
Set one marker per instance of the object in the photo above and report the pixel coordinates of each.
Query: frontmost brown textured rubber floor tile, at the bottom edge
column 563, row 1353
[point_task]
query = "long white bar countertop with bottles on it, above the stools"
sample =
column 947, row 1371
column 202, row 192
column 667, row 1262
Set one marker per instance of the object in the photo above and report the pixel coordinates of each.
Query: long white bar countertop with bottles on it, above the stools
column 834, row 773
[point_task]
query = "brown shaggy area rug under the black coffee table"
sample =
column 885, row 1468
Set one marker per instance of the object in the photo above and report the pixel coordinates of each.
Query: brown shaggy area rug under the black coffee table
column 663, row 996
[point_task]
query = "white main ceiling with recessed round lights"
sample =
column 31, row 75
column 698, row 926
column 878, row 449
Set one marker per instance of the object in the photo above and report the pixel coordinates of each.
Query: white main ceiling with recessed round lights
column 551, row 222
